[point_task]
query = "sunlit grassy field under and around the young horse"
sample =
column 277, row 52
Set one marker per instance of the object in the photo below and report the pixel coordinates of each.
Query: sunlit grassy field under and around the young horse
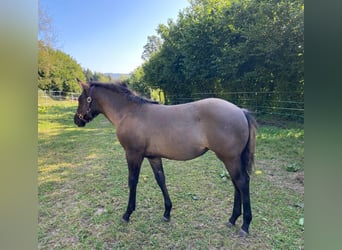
column 83, row 192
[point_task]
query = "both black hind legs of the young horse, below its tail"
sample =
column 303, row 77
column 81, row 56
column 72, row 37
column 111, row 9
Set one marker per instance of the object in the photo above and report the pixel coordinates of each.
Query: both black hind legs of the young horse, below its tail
column 240, row 179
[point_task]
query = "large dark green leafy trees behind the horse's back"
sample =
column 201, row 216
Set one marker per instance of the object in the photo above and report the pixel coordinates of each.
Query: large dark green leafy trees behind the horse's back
column 219, row 46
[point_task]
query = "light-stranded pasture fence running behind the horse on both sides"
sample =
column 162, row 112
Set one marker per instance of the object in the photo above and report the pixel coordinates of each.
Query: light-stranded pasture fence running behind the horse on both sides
column 266, row 104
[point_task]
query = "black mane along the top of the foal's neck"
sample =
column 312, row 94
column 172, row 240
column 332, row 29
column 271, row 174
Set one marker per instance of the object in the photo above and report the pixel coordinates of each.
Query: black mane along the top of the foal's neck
column 122, row 88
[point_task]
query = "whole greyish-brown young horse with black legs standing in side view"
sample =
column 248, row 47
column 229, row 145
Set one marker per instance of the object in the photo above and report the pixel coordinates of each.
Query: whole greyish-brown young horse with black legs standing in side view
column 149, row 130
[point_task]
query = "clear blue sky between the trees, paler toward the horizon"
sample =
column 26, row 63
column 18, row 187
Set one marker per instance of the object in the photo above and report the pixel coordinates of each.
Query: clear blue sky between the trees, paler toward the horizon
column 108, row 36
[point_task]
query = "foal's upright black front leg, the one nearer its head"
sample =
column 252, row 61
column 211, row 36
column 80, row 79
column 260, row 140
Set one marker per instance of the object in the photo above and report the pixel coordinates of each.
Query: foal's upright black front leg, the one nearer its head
column 134, row 164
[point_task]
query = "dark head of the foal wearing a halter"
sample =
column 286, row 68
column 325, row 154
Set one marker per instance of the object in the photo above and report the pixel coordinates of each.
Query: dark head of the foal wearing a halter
column 86, row 110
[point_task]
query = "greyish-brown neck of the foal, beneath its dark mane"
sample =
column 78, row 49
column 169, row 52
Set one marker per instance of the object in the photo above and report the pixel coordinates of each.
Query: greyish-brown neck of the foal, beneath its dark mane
column 114, row 106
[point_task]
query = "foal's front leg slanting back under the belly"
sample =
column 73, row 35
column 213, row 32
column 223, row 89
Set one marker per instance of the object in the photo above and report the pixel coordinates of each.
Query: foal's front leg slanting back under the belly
column 157, row 167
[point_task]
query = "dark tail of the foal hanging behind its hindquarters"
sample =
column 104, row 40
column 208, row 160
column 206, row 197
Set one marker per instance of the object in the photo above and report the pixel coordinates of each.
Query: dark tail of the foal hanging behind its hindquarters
column 247, row 156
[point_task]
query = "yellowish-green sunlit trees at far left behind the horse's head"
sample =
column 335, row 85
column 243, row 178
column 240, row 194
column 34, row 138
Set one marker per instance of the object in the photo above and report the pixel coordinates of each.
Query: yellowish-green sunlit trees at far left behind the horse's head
column 57, row 71
